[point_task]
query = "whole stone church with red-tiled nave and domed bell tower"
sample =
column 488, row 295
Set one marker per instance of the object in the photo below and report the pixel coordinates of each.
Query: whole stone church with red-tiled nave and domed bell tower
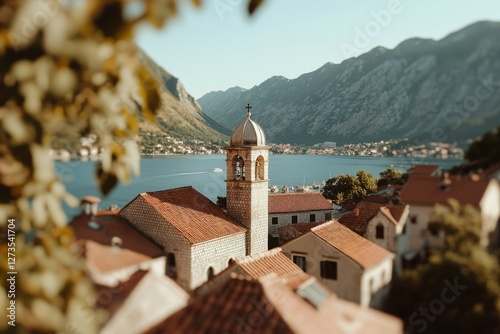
column 199, row 239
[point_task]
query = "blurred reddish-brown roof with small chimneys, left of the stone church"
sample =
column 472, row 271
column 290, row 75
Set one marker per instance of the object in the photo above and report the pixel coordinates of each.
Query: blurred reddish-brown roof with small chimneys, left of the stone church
column 110, row 226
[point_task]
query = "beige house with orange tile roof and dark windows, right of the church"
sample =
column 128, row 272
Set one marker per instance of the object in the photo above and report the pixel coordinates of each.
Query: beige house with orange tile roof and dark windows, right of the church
column 350, row 265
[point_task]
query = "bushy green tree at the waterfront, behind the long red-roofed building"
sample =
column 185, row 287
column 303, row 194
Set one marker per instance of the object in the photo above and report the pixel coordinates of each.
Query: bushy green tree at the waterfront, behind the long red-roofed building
column 350, row 187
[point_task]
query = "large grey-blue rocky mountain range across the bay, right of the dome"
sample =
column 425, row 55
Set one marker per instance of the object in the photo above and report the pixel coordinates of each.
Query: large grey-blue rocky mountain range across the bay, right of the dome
column 426, row 90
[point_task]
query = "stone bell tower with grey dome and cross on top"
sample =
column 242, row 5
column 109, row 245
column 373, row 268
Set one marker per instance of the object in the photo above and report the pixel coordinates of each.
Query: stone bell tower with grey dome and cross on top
column 247, row 160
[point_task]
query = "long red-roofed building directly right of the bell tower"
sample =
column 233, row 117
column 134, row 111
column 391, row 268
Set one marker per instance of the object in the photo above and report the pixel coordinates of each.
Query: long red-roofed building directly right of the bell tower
column 297, row 208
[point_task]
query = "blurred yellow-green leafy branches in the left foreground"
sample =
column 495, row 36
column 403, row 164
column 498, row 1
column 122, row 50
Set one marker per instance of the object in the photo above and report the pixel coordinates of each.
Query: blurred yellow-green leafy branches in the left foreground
column 72, row 65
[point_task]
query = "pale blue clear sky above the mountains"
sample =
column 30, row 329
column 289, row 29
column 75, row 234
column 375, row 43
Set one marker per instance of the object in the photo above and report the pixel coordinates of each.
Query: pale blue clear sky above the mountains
column 218, row 46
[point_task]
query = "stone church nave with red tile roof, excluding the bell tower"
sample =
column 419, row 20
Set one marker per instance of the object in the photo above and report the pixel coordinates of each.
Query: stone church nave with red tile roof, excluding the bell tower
column 197, row 236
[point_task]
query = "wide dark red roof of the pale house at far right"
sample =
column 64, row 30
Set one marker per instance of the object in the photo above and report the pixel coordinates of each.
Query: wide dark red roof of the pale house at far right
column 429, row 190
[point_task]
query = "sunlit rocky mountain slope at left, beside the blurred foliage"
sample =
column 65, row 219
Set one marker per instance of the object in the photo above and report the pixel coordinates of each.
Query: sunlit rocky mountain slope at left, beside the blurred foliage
column 181, row 116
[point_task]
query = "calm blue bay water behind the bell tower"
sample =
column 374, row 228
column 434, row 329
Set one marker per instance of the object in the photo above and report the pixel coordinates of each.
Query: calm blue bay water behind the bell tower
column 172, row 171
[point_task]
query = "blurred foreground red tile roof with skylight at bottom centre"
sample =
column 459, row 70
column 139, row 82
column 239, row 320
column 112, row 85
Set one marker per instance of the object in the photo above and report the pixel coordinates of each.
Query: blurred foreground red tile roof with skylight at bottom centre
column 267, row 306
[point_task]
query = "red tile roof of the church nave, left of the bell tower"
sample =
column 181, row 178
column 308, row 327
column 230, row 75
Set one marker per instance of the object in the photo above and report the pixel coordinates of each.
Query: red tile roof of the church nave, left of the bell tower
column 196, row 217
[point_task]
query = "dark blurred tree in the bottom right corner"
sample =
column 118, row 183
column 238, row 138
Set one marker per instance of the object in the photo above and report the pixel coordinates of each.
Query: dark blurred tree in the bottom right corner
column 458, row 290
